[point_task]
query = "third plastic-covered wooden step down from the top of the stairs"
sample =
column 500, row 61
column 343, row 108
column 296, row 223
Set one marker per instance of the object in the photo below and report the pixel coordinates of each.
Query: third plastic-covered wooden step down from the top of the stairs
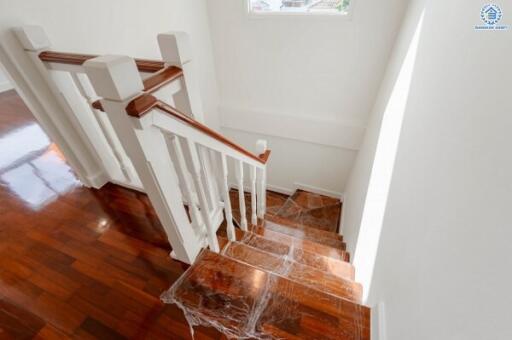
column 328, row 265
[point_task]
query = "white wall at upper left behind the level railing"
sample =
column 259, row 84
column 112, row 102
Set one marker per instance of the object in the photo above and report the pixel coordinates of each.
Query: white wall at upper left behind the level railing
column 121, row 27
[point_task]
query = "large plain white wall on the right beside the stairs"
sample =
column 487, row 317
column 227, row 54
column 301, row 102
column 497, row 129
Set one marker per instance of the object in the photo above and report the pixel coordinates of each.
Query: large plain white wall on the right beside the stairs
column 442, row 266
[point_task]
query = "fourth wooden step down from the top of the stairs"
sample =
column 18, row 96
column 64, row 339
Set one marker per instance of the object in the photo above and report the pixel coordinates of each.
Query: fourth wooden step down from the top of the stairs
column 298, row 230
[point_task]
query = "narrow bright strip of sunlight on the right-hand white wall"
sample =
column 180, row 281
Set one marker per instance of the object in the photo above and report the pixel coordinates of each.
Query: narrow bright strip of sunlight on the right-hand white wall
column 383, row 164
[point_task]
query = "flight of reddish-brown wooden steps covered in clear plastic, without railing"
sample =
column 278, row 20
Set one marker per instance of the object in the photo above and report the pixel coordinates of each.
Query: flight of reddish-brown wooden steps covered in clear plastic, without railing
column 288, row 277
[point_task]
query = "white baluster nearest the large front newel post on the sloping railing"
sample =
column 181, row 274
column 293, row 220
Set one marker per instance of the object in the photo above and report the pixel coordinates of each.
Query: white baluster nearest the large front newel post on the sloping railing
column 174, row 145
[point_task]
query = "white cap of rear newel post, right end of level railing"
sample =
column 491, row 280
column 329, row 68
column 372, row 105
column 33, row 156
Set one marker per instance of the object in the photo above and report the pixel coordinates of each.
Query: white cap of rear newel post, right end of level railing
column 175, row 47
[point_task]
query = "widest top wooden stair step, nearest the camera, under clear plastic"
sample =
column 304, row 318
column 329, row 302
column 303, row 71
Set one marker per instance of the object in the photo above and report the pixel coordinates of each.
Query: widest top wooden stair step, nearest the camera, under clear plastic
column 245, row 302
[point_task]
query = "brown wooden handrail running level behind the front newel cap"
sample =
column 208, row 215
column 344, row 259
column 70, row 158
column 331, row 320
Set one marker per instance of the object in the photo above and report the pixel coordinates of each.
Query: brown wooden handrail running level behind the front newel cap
column 144, row 65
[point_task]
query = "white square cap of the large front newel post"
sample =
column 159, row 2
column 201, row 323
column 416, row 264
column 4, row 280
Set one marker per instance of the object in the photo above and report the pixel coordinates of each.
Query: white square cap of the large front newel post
column 114, row 77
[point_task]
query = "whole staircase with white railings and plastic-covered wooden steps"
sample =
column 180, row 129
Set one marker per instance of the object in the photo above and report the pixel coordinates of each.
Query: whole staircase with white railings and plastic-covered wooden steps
column 282, row 273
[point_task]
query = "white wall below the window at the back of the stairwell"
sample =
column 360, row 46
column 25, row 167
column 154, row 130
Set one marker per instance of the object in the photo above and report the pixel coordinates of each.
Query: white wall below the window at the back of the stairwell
column 302, row 80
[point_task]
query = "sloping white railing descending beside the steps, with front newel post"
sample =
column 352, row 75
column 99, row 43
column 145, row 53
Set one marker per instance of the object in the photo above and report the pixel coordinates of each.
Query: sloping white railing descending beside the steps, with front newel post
column 179, row 160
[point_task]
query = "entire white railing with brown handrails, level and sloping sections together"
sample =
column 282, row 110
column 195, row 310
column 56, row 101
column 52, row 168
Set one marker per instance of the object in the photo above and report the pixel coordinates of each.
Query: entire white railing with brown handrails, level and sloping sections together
column 160, row 147
